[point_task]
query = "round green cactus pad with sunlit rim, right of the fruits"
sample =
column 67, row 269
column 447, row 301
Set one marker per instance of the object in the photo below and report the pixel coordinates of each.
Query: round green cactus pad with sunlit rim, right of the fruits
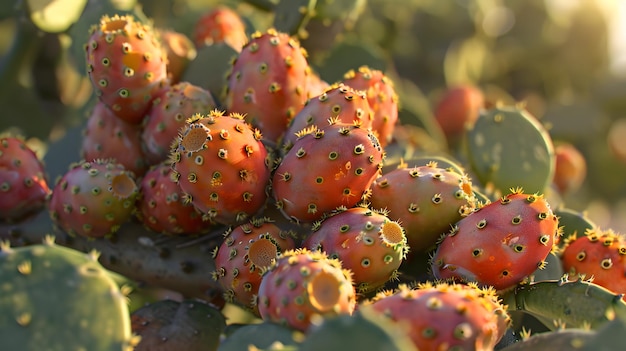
column 508, row 148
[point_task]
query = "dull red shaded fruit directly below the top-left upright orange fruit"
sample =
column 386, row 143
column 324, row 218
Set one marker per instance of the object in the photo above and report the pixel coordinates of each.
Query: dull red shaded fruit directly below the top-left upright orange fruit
column 108, row 137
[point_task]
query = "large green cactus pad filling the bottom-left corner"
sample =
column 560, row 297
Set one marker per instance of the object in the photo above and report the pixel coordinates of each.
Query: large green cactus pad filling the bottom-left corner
column 55, row 298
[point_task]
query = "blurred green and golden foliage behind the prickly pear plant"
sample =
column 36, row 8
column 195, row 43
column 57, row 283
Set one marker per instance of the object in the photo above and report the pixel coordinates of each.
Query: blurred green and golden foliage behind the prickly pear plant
column 565, row 59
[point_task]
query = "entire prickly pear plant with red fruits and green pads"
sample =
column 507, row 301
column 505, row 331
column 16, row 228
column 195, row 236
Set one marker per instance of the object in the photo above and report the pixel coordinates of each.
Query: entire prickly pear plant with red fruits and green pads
column 274, row 196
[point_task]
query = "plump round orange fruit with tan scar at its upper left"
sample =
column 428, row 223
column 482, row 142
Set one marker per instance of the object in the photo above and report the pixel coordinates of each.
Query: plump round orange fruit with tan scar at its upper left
column 222, row 166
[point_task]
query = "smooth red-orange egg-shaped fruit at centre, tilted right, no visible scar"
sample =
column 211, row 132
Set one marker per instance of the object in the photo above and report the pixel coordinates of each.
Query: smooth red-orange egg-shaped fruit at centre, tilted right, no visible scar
column 326, row 168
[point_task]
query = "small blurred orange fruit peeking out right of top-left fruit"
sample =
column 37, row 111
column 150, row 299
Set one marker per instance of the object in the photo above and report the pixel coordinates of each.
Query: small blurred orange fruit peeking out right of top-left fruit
column 180, row 51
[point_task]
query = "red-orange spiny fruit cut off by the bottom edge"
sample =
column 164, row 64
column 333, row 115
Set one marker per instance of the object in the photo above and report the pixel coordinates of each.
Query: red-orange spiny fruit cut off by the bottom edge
column 445, row 316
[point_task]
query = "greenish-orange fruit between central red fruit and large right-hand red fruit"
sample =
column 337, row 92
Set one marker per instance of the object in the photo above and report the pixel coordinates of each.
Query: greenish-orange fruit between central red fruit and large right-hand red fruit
column 426, row 199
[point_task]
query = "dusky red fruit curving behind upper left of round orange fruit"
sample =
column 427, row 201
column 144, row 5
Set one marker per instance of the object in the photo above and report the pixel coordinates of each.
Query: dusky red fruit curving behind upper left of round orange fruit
column 168, row 114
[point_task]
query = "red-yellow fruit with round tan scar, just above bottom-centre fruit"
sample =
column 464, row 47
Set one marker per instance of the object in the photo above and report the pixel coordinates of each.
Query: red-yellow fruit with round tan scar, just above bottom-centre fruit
column 366, row 242
